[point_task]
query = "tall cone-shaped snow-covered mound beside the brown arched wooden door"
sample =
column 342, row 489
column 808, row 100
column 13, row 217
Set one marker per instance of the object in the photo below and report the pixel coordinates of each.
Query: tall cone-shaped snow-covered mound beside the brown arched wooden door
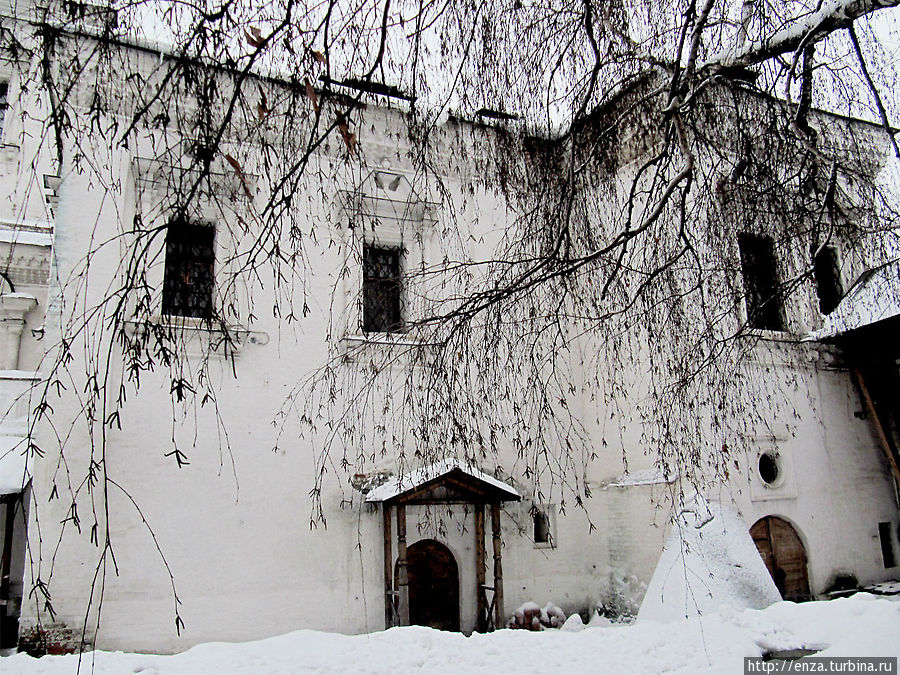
column 709, row 561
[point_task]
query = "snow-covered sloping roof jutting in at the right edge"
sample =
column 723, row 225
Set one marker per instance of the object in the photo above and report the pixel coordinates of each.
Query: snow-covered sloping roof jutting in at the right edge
column 874, row 297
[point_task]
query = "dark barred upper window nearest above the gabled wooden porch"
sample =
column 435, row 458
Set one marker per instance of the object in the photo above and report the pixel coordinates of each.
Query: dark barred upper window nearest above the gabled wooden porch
column 382, row 289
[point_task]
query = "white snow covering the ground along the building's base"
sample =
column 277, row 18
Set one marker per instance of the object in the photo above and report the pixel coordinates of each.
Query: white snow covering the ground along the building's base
column 862, row 625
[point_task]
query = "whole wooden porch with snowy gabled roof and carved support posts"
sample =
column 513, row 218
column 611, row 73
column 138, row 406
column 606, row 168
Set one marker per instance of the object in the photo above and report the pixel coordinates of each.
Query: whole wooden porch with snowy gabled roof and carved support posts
column 447, row 482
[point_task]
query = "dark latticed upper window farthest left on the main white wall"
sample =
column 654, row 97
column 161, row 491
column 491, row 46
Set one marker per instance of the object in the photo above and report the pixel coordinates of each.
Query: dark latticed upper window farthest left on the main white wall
column 190, row 261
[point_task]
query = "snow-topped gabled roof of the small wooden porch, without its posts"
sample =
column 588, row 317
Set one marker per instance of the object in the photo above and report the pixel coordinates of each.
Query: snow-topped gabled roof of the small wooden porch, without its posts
column 446, row 482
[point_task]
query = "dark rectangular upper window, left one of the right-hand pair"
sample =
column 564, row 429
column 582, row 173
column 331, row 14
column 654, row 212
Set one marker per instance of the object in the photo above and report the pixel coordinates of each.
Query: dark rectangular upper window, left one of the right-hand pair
column 761, row 282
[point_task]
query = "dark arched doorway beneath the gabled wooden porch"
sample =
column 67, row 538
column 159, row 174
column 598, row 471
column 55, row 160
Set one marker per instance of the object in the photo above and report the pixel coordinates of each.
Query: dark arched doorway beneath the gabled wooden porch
column 433, row 585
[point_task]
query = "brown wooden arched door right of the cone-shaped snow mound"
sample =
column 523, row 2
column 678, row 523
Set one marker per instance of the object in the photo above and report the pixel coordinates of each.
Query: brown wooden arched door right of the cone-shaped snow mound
column 785, row 557
